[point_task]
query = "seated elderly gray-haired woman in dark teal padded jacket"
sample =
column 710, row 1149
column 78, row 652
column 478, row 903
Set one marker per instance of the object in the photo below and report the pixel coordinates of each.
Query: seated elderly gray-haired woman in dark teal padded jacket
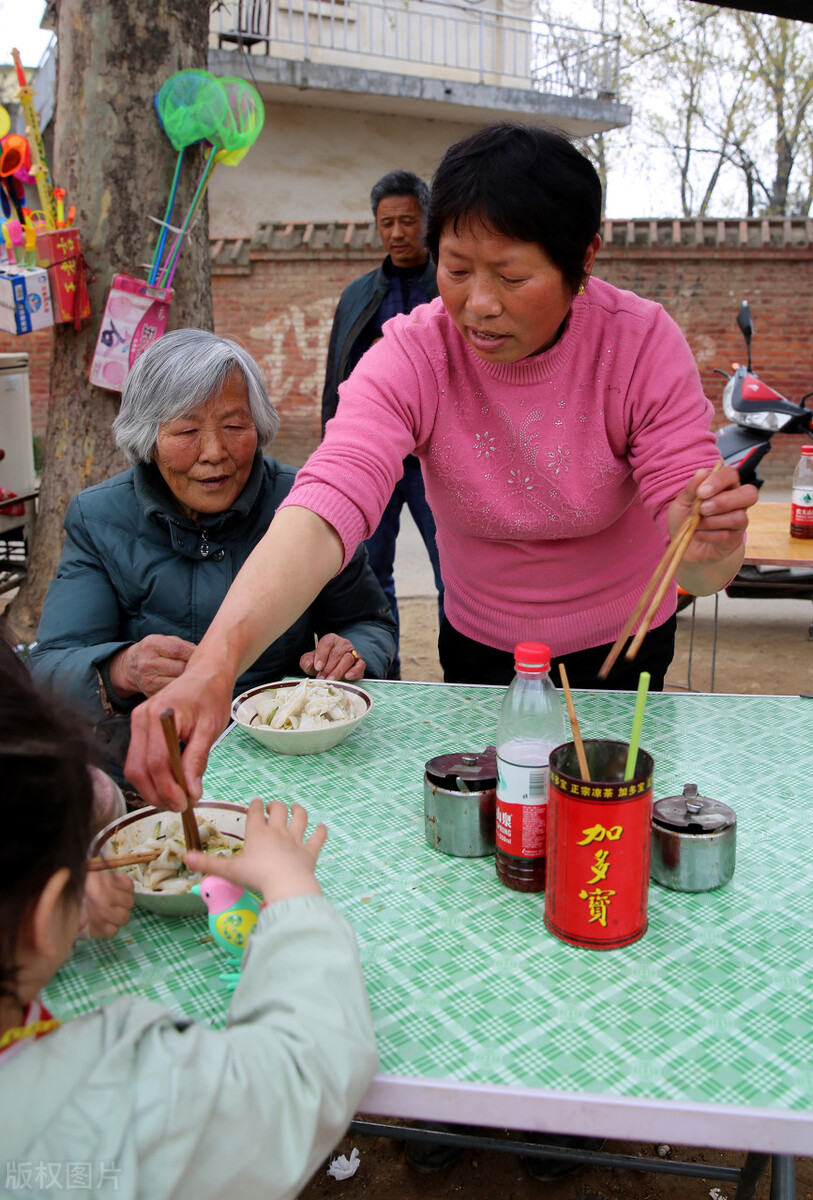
column 150, row 554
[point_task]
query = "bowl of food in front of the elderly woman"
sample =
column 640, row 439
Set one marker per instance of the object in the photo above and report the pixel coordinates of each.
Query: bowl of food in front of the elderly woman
column 302, row 716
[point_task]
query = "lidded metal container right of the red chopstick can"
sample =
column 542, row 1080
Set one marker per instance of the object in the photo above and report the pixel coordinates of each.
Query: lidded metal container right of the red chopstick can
column 694, row 842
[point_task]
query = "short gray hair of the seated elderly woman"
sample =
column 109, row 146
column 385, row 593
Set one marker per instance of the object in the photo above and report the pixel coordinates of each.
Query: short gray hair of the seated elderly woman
column 176, row 375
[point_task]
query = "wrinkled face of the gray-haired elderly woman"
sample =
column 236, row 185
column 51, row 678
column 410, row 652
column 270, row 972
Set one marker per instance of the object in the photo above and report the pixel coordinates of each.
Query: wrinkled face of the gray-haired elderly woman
column 206, row 458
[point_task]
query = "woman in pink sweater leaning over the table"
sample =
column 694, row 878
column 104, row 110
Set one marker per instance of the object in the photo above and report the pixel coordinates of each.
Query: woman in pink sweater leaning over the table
column 563, row 434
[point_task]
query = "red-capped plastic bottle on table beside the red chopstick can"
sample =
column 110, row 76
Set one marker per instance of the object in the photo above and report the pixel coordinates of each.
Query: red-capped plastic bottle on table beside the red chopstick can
column 532, row 724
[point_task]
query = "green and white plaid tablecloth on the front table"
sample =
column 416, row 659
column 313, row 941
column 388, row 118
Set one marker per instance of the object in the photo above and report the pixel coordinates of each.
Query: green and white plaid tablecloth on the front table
column 712, row 1007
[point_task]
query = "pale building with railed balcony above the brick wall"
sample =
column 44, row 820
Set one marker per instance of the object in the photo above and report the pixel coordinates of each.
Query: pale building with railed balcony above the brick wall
column 357, row 88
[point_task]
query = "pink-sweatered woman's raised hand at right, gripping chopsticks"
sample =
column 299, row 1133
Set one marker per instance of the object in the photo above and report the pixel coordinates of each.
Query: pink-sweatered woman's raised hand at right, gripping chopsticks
column 718, row 545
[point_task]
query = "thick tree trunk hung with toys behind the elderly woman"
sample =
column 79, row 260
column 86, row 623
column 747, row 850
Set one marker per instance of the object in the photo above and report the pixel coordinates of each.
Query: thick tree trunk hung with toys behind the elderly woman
column 117, row 165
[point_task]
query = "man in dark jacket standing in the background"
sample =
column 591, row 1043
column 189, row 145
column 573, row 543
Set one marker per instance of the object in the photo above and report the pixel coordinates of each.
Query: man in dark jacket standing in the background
column 405, row 280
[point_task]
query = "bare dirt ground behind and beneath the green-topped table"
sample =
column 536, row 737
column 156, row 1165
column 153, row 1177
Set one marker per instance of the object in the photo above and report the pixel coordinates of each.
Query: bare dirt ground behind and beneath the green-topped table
column 762, row 647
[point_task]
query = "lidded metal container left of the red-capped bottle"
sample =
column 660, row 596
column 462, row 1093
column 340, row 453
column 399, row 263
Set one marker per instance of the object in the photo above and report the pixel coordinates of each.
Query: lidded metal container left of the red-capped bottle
column 460, row 803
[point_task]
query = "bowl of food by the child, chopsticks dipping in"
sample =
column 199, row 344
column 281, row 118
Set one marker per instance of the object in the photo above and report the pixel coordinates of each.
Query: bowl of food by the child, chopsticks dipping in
column 162, row 886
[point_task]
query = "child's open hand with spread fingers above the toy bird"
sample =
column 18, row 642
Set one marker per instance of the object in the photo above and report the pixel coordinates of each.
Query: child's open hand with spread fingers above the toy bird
column 275, row 861
